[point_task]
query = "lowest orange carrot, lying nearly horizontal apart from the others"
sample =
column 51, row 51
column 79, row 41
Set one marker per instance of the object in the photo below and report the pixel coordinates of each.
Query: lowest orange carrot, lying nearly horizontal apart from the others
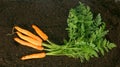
column 32, row 56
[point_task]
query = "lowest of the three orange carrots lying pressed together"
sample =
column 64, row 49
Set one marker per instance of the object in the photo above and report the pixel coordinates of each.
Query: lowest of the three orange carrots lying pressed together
column 28, row 44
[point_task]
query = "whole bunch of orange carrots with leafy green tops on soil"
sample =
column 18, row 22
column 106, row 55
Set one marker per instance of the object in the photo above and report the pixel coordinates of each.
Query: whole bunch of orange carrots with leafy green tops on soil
column 86, row 37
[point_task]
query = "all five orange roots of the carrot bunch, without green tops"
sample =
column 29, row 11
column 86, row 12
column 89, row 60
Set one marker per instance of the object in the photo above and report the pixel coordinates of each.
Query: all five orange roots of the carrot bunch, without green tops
column 27, row 38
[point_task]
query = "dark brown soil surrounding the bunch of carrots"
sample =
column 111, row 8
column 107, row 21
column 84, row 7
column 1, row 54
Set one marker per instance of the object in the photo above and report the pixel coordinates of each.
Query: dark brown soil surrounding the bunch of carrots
column 51, row 17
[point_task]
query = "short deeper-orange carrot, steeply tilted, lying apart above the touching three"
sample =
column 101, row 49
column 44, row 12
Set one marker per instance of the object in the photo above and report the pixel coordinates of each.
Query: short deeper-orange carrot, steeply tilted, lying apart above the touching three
column 40, row 32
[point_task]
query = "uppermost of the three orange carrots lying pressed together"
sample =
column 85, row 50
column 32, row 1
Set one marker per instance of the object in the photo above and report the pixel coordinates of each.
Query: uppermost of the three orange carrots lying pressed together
column 26, row 32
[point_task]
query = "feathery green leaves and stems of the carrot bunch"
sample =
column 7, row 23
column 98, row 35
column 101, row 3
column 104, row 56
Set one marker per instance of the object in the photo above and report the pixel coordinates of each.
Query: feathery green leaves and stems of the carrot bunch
column 86, row 36
